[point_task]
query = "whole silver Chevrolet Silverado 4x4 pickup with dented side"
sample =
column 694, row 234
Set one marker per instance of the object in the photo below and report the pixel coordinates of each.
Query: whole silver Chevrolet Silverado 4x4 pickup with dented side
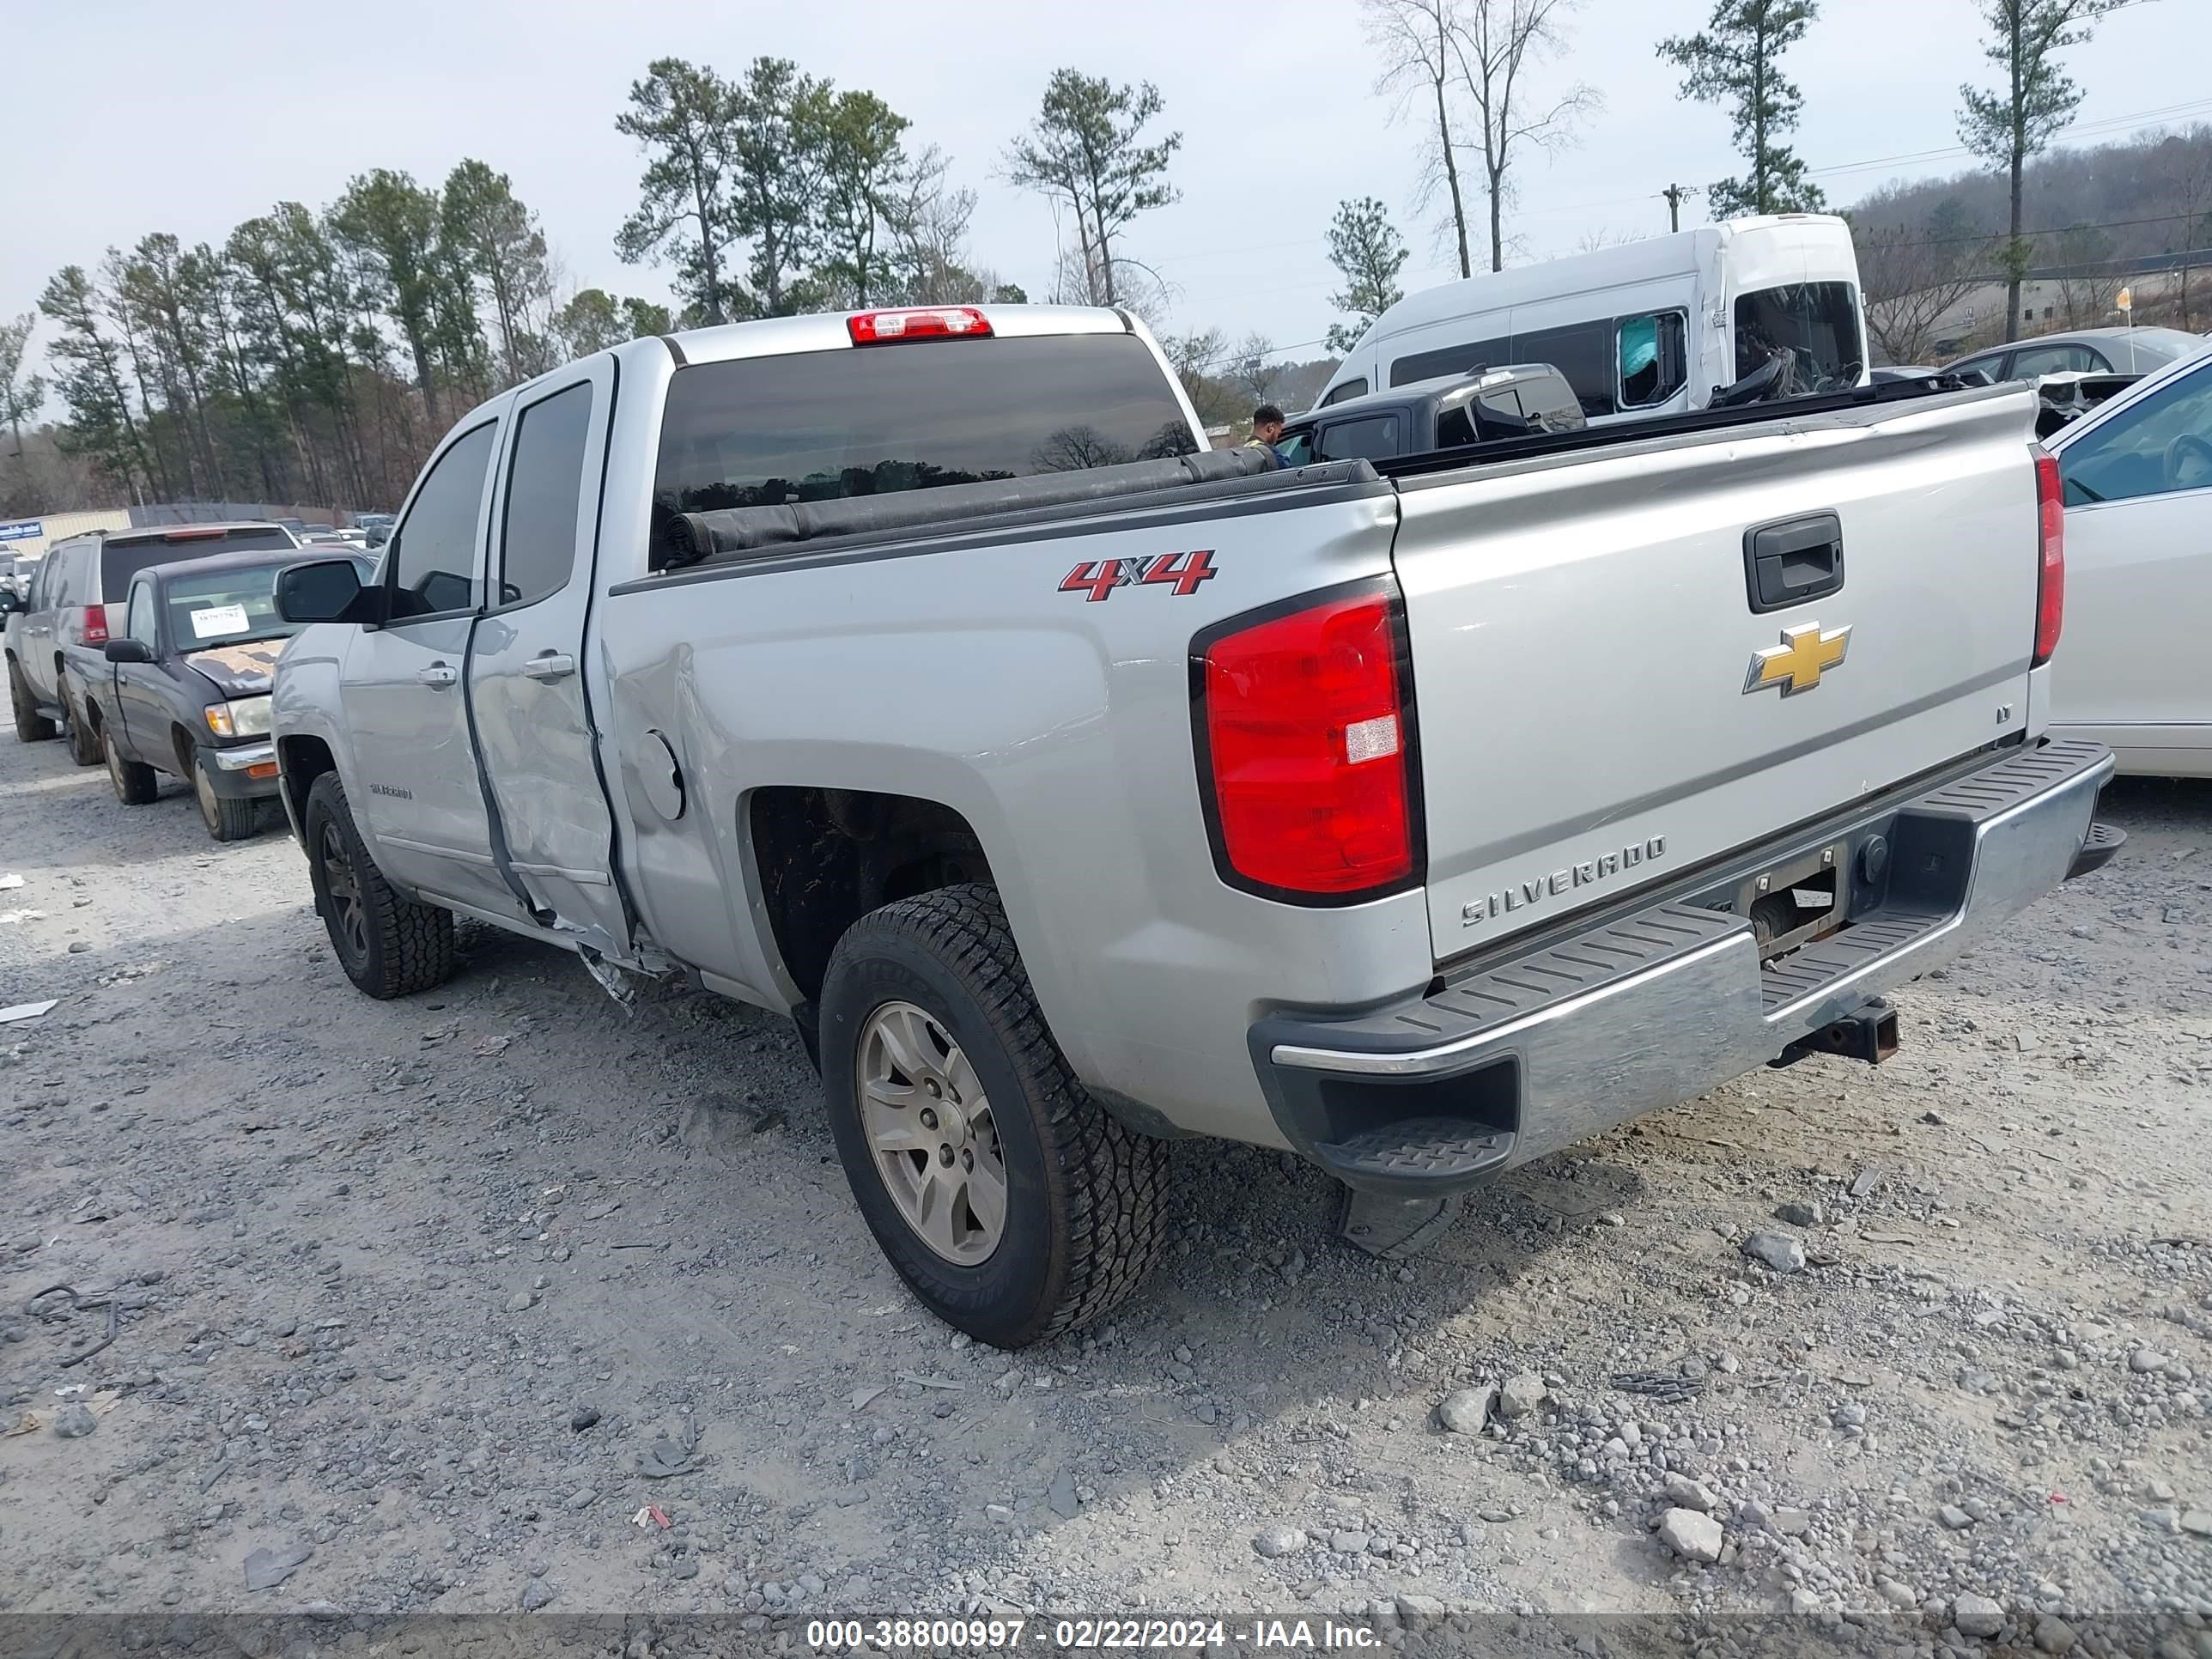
column 921, row 676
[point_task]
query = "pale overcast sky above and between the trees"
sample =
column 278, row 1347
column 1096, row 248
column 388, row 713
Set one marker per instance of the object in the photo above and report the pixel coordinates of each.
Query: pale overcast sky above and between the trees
column 132, row 116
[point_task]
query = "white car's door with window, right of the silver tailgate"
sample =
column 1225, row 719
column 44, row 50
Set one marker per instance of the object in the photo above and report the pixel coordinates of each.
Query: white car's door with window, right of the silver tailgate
column 2140, row 570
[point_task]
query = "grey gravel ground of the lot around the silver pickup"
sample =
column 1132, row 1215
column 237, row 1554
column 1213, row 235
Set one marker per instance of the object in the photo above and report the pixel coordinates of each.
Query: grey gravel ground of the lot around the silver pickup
column 508, row 1297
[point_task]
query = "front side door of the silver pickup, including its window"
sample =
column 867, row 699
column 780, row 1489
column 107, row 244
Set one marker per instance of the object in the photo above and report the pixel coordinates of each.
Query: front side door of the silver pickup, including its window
column 415, row 789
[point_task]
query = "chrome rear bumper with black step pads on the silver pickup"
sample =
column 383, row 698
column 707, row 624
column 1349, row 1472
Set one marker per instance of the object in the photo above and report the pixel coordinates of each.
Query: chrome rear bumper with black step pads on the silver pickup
column 1653, row 1008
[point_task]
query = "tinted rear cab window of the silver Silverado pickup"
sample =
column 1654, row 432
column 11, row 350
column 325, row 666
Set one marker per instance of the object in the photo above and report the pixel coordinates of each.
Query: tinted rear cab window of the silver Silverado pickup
column 881, row 419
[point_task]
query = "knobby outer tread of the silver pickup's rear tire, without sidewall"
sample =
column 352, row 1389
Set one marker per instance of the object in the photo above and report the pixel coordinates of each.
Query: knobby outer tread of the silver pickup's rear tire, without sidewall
column 1116, row 1178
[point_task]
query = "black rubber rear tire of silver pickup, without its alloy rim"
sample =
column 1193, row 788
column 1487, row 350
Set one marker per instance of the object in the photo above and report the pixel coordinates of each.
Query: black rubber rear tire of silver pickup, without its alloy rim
column 1085, row 1193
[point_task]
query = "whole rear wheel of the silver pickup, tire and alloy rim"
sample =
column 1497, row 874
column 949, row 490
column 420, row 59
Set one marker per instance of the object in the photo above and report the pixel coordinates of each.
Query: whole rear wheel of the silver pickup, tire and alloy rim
column 1005, row 1198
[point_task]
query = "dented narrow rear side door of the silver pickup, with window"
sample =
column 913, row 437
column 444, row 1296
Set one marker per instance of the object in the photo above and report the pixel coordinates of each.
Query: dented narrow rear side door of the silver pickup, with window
column 528, row 674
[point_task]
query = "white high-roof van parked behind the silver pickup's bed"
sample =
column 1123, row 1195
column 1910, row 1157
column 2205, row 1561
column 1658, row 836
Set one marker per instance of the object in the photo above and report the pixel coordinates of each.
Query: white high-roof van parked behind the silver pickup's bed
column 1733, row 313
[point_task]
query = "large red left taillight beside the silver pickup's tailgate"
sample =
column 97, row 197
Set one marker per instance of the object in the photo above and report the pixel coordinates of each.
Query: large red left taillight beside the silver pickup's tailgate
column 1306, row 740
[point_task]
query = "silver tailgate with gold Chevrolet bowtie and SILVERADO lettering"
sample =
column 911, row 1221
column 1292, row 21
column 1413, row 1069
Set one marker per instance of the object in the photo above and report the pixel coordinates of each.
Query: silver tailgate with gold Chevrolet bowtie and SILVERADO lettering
column 1596, row 707
